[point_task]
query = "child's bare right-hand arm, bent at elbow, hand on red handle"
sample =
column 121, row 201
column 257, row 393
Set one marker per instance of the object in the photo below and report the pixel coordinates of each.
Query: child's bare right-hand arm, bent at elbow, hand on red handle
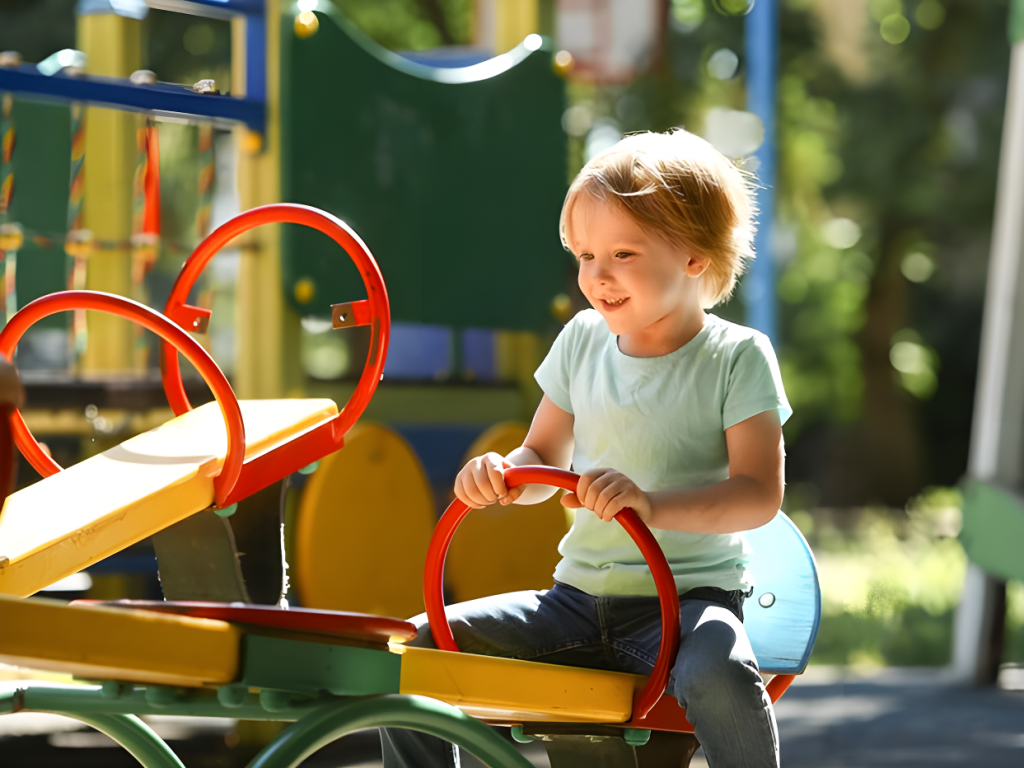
column 748, row 500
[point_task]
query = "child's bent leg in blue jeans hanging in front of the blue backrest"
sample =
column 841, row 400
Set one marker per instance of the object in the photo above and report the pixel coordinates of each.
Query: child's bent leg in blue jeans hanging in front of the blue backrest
column 716, row 678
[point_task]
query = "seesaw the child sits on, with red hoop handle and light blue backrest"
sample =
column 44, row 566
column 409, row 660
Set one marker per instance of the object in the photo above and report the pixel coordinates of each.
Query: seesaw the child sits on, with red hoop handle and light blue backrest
column 261, row 663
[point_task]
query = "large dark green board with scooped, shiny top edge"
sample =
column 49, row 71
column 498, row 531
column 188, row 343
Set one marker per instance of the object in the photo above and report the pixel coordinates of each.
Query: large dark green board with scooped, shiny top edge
column 454, row 179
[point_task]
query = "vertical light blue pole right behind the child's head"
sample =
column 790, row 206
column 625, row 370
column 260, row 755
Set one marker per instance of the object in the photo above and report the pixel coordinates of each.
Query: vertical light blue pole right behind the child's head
column 762, row 75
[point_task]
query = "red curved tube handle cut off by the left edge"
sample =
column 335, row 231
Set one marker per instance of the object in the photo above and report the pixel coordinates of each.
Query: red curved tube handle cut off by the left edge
column 170, row 333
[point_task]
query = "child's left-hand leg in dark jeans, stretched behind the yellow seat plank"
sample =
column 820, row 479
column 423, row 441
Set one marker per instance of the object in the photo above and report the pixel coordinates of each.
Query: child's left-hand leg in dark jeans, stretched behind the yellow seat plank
column 559, row 627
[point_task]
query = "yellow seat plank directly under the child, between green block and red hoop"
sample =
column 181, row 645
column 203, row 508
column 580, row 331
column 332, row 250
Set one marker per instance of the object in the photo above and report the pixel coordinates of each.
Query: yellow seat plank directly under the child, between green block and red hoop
column 508, row 691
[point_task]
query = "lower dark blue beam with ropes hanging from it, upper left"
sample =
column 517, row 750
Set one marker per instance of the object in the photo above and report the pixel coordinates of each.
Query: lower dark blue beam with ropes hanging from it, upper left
column 175, row 101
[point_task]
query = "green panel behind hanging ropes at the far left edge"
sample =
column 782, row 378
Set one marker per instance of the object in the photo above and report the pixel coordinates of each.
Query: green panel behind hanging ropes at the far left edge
column 42, row 172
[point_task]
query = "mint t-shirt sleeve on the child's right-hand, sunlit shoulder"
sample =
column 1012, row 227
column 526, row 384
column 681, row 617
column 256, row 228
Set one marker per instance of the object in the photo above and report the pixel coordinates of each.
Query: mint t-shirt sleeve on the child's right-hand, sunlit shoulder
column 755, row 385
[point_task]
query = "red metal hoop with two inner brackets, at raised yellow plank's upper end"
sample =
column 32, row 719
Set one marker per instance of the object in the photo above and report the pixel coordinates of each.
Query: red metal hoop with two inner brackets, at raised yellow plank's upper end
column 379, row 316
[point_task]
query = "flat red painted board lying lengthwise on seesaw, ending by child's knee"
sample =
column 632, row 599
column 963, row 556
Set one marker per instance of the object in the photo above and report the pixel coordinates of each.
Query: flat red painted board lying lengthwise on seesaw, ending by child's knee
column 335, row 624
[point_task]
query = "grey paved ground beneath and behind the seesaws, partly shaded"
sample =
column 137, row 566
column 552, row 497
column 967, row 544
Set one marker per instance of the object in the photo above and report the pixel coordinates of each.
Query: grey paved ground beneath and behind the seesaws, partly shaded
column 830, row 719
